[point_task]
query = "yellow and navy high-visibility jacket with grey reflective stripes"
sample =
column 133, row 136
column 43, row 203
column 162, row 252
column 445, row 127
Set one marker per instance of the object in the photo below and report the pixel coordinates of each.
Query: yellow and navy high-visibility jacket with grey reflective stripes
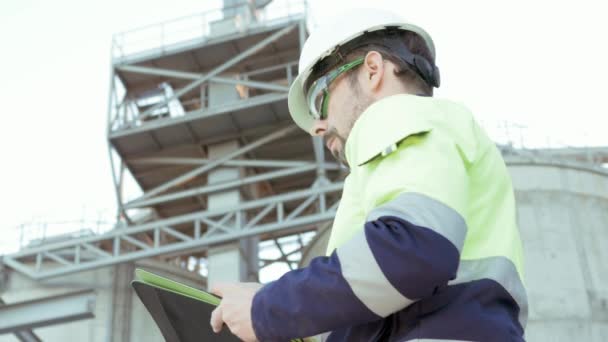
column 424, row 245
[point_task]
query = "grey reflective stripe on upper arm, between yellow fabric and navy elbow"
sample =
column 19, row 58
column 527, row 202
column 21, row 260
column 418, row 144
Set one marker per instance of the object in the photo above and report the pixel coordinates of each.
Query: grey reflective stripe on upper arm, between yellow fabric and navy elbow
column 423, row 211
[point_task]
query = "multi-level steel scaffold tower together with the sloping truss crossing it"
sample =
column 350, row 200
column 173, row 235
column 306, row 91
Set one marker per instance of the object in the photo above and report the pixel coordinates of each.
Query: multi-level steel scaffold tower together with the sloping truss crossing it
column 179, row 92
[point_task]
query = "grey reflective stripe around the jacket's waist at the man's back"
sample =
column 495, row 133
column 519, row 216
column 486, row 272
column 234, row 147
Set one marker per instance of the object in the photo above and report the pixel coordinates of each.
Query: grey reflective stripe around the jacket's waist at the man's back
column 501, row 270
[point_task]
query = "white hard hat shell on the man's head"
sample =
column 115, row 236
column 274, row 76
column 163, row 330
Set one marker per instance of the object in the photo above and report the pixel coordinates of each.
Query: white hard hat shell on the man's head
column 324, row 41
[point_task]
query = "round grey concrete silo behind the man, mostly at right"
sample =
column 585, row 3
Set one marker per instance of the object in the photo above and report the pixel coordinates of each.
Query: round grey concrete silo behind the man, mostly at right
column 563, row 219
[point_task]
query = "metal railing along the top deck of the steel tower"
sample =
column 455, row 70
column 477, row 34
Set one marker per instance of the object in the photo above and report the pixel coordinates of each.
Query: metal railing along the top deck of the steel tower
column 165, row 36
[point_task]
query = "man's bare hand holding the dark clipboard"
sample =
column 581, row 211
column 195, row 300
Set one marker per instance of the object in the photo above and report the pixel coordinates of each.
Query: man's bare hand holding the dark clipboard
column 235, row 309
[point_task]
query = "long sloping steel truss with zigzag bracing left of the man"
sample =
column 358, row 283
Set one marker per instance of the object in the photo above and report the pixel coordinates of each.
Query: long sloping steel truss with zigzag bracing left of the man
column 268, row 215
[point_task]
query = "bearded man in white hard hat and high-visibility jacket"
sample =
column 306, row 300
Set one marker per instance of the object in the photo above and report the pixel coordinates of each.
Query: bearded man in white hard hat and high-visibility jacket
column 424, row 245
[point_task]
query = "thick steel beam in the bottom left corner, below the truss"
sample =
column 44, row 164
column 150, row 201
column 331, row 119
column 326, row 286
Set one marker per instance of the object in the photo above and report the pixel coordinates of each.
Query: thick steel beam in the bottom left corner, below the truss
column 47, row 311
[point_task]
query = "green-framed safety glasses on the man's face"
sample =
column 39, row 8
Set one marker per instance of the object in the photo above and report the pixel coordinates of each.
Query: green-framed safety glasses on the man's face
column 318, row 95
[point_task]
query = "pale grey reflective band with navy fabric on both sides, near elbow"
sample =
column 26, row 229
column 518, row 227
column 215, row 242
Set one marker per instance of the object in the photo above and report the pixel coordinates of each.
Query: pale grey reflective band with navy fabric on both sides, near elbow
column 366, row 279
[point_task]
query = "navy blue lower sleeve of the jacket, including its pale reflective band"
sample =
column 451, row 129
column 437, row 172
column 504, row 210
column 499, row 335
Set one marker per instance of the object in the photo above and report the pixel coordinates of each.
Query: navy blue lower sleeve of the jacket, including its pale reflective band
column 383, row 269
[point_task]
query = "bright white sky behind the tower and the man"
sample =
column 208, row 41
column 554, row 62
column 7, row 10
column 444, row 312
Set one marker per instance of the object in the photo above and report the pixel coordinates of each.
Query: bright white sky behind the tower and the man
column 538, row 64
